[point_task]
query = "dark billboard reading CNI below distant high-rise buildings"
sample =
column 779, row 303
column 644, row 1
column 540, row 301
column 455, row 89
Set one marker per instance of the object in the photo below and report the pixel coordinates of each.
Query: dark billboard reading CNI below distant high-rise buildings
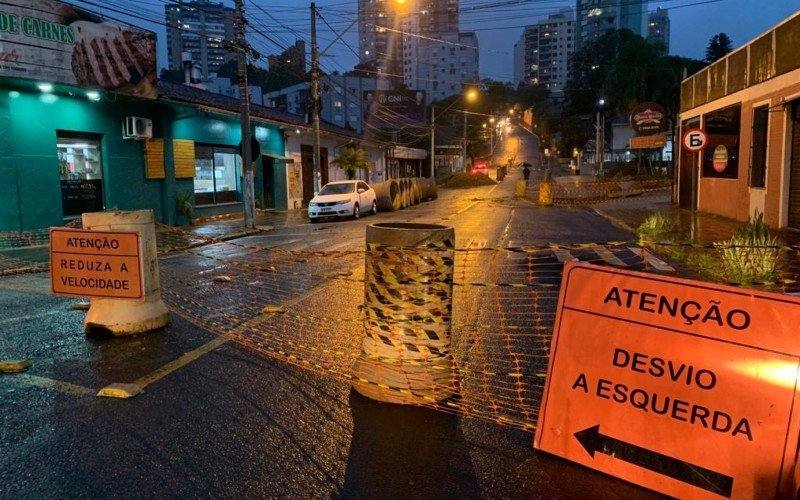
column 394, row 108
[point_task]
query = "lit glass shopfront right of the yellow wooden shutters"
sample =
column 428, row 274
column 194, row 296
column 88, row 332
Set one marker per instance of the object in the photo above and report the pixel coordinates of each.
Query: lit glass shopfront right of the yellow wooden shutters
column 216, row 175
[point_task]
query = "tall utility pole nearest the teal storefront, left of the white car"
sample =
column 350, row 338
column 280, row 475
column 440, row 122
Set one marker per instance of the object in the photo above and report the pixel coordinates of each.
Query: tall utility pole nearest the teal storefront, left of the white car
column 247, row 163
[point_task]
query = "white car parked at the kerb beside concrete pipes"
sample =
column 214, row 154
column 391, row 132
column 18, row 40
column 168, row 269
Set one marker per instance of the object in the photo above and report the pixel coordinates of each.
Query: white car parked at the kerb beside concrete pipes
column 342, row 199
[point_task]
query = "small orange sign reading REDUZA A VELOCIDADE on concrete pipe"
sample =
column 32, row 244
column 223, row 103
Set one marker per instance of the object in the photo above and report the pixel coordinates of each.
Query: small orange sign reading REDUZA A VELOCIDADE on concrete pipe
column 95, row 264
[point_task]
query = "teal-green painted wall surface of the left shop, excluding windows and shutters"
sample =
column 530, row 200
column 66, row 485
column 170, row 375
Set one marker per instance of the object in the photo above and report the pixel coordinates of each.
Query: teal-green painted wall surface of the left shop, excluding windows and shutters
column 30, row 194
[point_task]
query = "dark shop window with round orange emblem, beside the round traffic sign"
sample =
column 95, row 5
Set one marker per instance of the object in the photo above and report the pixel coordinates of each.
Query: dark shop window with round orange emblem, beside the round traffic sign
column 721, row 156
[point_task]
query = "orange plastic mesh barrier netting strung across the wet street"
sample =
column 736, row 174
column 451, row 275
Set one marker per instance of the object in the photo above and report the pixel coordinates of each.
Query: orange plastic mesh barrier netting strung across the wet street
column 306, row 307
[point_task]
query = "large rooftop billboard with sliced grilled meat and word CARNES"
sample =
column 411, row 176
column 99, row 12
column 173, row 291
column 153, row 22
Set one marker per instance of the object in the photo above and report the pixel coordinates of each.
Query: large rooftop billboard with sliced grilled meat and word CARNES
column 59, row 43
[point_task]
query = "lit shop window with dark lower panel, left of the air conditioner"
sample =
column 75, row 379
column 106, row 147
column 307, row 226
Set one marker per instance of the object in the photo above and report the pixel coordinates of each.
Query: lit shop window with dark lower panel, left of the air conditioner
column 80, row 168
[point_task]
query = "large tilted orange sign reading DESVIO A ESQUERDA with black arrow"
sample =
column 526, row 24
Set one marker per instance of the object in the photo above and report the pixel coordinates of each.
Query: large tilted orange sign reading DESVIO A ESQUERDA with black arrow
column 684, row 387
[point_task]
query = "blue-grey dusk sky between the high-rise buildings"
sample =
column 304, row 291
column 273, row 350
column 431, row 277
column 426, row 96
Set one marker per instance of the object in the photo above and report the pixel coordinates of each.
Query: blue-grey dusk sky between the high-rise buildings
column 693, row 23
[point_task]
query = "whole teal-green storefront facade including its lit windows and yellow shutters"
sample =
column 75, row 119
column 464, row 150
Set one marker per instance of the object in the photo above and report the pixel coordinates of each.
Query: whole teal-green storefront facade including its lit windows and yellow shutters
column 62, row 152
